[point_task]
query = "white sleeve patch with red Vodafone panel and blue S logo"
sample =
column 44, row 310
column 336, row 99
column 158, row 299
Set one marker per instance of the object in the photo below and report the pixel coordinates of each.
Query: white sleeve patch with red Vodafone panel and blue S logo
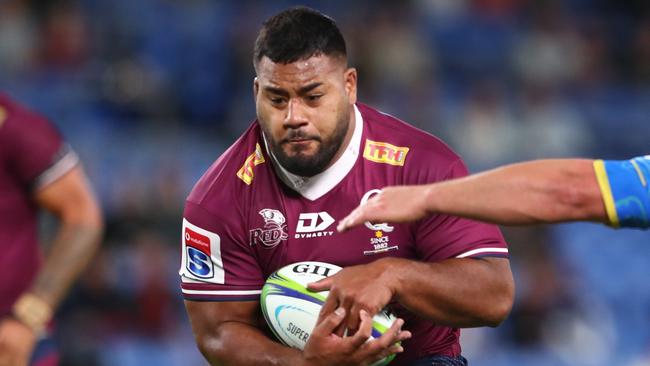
column 201, row 256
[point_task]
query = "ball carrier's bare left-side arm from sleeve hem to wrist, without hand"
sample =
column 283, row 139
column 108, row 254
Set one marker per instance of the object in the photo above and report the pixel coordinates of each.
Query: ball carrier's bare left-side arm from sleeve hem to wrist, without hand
column 227, row 333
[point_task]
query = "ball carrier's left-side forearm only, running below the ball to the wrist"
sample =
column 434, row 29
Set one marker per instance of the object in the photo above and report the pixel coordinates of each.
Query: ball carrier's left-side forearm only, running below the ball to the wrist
column 236, row 343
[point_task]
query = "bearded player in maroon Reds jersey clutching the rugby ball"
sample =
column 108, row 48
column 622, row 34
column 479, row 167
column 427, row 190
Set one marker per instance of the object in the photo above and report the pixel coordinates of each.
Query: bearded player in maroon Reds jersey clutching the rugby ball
column 273, row 198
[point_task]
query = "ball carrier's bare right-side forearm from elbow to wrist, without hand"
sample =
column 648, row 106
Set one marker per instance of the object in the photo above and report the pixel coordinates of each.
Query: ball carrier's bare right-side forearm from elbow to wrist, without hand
column 455, row 292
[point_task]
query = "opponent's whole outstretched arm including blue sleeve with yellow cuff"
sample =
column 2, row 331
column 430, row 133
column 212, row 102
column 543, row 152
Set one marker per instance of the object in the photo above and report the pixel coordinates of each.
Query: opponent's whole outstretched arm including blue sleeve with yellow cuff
column 616, row 193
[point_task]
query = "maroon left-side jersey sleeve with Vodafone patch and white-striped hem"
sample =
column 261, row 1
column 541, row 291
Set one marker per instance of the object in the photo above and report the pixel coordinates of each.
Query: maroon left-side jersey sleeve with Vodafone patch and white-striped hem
column 217, row 263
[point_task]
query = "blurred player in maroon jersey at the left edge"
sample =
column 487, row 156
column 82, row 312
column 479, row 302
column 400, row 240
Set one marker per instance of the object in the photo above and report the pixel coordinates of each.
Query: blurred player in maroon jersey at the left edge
column 38, row 171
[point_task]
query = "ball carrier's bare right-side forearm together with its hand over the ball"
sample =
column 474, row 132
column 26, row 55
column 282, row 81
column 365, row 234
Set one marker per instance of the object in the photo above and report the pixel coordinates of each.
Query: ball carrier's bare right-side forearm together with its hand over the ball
column 464, row 292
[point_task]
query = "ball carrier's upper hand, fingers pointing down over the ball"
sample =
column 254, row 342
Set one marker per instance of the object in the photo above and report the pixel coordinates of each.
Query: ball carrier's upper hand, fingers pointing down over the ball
column 369, row 287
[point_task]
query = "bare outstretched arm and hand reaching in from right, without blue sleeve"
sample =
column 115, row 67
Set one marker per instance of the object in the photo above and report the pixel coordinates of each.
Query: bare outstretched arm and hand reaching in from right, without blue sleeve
column 541, row 191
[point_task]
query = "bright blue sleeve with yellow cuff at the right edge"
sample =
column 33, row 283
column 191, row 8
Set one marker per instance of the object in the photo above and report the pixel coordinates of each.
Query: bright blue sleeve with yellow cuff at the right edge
column 625, row 187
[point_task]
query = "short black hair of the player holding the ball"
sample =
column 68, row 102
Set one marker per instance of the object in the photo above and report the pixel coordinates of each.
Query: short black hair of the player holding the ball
column 298, row 33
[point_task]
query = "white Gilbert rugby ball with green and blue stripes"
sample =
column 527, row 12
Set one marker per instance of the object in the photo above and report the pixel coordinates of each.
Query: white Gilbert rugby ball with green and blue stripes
column 291, row 310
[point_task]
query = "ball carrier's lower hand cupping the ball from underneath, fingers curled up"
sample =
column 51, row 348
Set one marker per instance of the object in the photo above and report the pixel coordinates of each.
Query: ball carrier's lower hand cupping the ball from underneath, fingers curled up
column 326, row 348
